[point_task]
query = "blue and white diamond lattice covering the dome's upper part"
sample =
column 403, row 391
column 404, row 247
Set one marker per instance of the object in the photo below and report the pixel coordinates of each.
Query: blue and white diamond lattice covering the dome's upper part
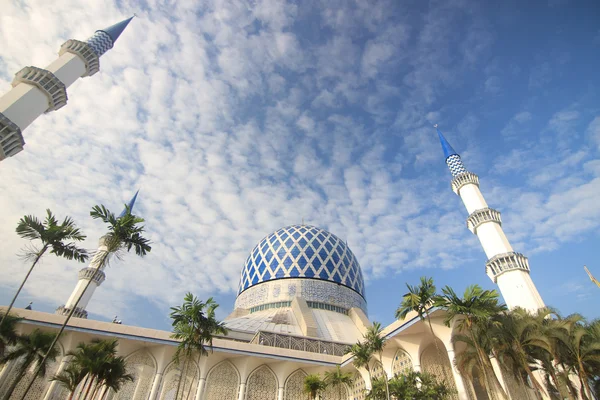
column 302, row 251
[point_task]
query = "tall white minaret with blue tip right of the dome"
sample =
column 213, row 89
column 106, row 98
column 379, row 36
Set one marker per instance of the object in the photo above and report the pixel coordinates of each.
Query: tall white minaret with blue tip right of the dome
column 508, row 269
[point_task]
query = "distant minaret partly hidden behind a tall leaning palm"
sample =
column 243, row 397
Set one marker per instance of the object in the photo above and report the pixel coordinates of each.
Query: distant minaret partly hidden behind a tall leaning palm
column 93, row 273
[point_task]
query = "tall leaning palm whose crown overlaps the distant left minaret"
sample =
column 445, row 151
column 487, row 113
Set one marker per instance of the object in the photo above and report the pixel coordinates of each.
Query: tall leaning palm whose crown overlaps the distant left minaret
column 124, row 233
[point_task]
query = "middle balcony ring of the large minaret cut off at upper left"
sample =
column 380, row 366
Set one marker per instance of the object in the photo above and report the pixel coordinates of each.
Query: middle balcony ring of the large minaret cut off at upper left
column 47, row 82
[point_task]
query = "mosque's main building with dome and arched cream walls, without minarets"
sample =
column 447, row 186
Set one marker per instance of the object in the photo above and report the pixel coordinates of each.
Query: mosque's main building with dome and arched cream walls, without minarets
column 301, row 304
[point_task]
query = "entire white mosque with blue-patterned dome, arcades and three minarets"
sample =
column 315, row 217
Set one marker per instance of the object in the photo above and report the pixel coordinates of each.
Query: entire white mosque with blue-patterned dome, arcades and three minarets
column 301, row 300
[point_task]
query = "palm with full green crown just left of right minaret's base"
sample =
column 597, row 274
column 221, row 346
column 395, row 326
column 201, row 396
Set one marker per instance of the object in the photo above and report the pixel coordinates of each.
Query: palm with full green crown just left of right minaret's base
column 473, row 311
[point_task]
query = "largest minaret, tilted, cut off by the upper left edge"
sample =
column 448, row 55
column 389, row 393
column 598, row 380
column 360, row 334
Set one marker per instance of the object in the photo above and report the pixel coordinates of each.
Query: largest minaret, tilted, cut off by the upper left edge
column 36, row 91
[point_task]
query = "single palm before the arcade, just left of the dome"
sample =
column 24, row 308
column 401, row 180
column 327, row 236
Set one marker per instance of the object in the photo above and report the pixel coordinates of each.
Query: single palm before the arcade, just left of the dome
column 195, row 325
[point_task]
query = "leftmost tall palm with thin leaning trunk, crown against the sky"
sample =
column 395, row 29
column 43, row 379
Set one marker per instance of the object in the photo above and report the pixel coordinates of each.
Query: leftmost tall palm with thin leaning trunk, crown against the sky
column 53, row 236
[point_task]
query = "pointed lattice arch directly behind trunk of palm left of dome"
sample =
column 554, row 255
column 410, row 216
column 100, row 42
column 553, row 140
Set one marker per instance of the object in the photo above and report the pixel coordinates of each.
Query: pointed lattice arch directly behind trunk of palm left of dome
column 173, row 373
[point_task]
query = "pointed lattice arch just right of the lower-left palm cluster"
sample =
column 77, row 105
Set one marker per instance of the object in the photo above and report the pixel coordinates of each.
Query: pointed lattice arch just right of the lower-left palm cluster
column 142, row 365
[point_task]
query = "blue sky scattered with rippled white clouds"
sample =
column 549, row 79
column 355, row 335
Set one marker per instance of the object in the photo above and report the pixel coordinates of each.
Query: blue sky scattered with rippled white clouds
column 236, row 118
